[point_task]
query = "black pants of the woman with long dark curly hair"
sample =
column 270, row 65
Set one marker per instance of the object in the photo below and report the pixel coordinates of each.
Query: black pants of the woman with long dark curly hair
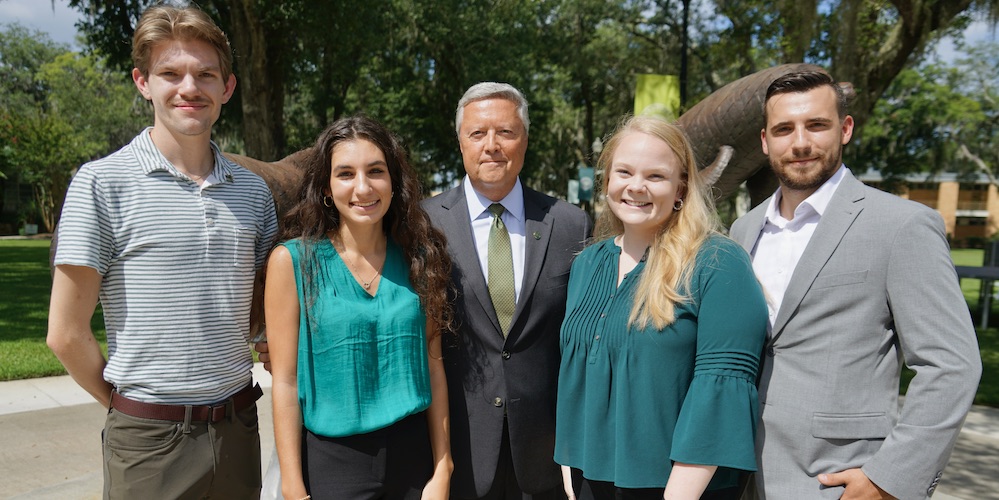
column 391, row 463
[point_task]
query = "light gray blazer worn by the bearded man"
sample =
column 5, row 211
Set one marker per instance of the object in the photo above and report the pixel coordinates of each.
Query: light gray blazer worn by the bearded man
column 874, row 287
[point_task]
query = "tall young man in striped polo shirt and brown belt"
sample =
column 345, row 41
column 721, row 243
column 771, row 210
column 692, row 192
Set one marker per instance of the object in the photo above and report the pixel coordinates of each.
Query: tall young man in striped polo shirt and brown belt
column 168, row 235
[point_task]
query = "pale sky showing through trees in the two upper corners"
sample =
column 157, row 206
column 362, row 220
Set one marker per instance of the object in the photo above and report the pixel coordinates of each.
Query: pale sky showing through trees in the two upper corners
column 58, row 23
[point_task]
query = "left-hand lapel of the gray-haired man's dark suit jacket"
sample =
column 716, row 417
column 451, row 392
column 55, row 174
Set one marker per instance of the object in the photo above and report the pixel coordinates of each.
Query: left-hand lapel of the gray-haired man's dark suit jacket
column 462, row 244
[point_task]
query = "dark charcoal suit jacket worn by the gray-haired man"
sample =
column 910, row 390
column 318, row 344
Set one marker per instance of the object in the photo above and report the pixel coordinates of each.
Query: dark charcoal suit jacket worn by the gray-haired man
column 489, row 376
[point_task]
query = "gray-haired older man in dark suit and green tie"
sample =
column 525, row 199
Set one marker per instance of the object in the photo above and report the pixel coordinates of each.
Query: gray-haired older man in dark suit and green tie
column 502, row 367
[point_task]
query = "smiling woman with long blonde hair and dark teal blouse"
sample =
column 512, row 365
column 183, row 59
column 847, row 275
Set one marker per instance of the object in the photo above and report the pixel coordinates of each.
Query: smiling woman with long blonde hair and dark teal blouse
column 664, row 327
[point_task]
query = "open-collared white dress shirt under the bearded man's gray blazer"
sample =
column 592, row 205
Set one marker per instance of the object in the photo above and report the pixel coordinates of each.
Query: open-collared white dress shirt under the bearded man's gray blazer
column 782, row 241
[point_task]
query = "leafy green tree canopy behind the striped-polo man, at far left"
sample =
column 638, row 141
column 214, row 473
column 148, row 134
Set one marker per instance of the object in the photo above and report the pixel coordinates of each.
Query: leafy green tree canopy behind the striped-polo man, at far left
column 60, row 109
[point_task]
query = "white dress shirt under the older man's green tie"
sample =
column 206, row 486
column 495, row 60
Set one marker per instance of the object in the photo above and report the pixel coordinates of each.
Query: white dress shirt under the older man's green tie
column 513, row 217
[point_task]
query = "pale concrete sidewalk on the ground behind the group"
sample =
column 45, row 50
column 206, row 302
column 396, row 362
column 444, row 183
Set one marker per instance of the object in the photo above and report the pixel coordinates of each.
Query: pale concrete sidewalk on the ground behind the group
column 50, row 443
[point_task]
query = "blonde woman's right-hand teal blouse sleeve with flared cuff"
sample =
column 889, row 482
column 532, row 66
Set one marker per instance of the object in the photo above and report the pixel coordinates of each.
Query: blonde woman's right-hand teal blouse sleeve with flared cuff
column 718, row 418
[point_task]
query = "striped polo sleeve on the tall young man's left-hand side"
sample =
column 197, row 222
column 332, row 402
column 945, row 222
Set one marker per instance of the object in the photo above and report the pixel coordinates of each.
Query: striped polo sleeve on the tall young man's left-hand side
column 84, row 235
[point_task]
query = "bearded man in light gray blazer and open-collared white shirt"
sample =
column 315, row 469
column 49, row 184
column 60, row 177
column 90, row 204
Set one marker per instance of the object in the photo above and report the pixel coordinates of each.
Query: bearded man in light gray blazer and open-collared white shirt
column 857, row 281
